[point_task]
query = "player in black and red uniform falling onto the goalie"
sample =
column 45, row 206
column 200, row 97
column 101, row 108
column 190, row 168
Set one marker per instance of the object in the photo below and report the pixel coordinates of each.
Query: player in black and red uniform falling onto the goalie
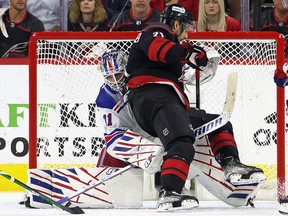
column 162, row 109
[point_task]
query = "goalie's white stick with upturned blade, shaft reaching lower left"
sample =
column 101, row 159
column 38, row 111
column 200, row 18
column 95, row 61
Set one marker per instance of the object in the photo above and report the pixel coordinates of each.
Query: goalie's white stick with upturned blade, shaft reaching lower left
column 201, row 131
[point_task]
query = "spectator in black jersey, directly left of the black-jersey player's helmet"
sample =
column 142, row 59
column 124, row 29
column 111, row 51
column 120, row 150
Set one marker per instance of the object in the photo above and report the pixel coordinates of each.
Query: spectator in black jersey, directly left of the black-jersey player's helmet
column 139, row 16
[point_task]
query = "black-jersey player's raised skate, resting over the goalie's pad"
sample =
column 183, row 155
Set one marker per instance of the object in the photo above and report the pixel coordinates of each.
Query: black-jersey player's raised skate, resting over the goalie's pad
column 238, row 174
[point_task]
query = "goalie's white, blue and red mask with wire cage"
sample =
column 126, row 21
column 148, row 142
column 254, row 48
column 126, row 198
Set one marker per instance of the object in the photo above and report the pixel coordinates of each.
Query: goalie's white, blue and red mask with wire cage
column 113, row 66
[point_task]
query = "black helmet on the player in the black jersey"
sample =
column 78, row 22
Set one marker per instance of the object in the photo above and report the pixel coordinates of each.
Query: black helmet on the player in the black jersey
column 177, row 12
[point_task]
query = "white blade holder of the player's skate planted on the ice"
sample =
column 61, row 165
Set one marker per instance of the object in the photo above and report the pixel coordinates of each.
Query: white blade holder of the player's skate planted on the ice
column 185, row 205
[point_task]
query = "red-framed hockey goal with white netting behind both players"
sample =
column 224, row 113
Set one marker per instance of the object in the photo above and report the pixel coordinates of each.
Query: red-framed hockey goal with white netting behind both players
column 64, row 80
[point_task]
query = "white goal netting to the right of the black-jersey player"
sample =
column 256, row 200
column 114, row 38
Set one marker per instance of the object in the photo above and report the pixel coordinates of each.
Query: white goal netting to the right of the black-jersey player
column 254, row 116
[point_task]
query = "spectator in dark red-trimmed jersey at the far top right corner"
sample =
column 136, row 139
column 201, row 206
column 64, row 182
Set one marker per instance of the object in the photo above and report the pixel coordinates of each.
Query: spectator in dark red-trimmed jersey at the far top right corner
column 276, row 19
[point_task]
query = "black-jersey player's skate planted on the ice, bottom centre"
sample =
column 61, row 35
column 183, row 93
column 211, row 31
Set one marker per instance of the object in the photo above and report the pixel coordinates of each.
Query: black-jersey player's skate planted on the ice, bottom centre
column 172, row 201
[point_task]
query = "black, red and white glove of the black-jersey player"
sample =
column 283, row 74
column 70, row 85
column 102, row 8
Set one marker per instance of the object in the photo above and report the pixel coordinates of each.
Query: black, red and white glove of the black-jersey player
column 195, row 56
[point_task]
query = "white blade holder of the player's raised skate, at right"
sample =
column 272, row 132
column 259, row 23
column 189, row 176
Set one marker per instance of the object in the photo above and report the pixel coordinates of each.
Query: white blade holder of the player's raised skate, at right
column 235, row 179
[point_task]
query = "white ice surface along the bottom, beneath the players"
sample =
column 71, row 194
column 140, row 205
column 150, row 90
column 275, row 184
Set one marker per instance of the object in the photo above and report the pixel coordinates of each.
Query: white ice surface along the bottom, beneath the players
column 9, row 205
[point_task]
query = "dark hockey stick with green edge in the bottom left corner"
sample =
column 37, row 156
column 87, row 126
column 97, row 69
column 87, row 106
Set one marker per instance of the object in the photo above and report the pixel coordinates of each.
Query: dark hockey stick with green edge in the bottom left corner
column 72, row 210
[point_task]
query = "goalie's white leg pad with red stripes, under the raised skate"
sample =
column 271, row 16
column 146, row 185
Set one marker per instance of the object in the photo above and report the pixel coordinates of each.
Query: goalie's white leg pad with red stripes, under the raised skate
column 209, row 174
